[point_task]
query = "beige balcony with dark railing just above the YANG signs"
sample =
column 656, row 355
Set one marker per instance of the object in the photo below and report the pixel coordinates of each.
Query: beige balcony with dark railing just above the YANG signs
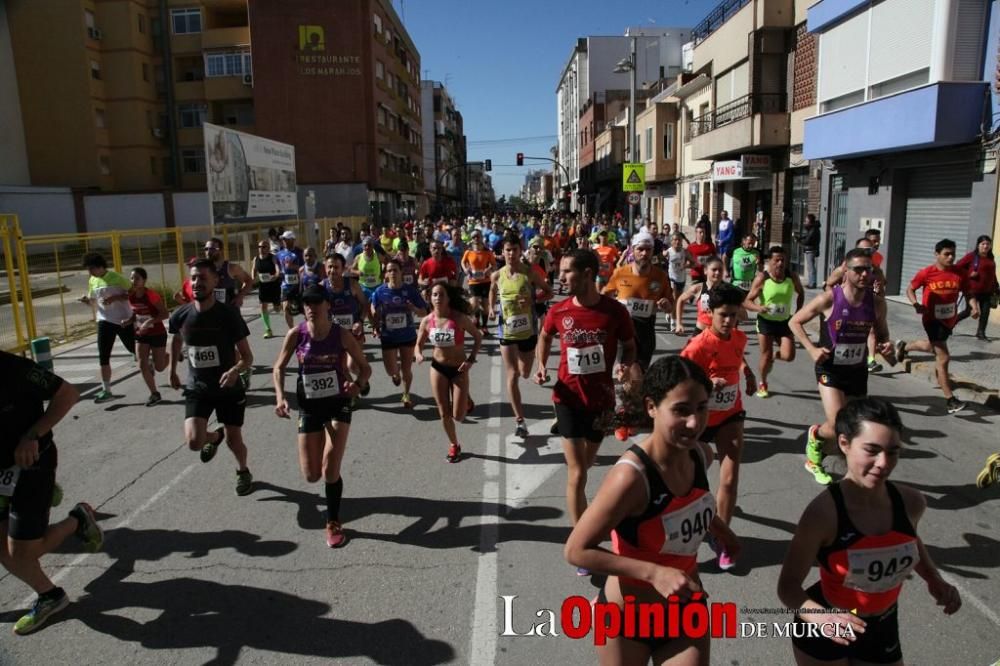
column 751, row 121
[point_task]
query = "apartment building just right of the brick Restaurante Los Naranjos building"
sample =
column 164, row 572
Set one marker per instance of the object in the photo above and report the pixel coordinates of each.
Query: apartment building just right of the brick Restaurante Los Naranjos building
column 444, row 150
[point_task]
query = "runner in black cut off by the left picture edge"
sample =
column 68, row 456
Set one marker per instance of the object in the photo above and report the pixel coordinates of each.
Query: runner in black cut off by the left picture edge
column 27, row 481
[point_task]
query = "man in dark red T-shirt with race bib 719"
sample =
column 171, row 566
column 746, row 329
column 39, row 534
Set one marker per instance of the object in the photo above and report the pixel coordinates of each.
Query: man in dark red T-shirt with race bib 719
column 590, row 327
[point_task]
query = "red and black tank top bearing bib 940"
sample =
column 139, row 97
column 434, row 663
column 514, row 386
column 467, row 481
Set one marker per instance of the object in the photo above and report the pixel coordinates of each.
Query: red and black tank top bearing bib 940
column 671, row 528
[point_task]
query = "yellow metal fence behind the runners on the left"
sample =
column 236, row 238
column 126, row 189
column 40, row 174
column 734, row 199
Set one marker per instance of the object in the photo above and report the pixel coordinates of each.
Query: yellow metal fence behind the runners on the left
column 41, row 277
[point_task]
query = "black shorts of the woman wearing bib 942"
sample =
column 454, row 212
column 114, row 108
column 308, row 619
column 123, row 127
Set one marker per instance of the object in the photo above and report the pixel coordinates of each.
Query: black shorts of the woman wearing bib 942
column 879, row 644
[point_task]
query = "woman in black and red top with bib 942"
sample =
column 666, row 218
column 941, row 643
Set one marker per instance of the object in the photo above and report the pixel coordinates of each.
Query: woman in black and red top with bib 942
column 862, row 532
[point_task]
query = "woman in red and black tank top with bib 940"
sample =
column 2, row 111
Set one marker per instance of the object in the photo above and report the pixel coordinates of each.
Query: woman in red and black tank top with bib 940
column 656, row 504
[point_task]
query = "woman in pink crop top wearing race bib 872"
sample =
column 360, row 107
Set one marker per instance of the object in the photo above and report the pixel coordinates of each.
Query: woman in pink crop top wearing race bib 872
column 445, row 328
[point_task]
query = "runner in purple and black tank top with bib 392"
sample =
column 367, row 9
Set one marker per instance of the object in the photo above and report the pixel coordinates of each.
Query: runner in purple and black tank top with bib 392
column 324, row 395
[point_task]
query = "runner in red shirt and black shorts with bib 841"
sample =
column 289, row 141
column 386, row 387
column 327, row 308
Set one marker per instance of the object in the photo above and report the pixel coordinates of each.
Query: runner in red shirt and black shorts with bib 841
column 942, row 284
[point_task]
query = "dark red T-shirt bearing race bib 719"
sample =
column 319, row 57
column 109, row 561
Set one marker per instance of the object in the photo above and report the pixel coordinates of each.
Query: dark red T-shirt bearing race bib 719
column 588, row 344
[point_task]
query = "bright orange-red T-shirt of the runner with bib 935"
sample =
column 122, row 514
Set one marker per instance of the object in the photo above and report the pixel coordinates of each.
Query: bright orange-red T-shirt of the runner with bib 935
column 721, row 359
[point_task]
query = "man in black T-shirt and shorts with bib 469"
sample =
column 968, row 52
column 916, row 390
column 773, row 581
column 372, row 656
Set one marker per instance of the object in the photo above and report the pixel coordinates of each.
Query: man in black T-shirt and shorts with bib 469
column 213, row 334
